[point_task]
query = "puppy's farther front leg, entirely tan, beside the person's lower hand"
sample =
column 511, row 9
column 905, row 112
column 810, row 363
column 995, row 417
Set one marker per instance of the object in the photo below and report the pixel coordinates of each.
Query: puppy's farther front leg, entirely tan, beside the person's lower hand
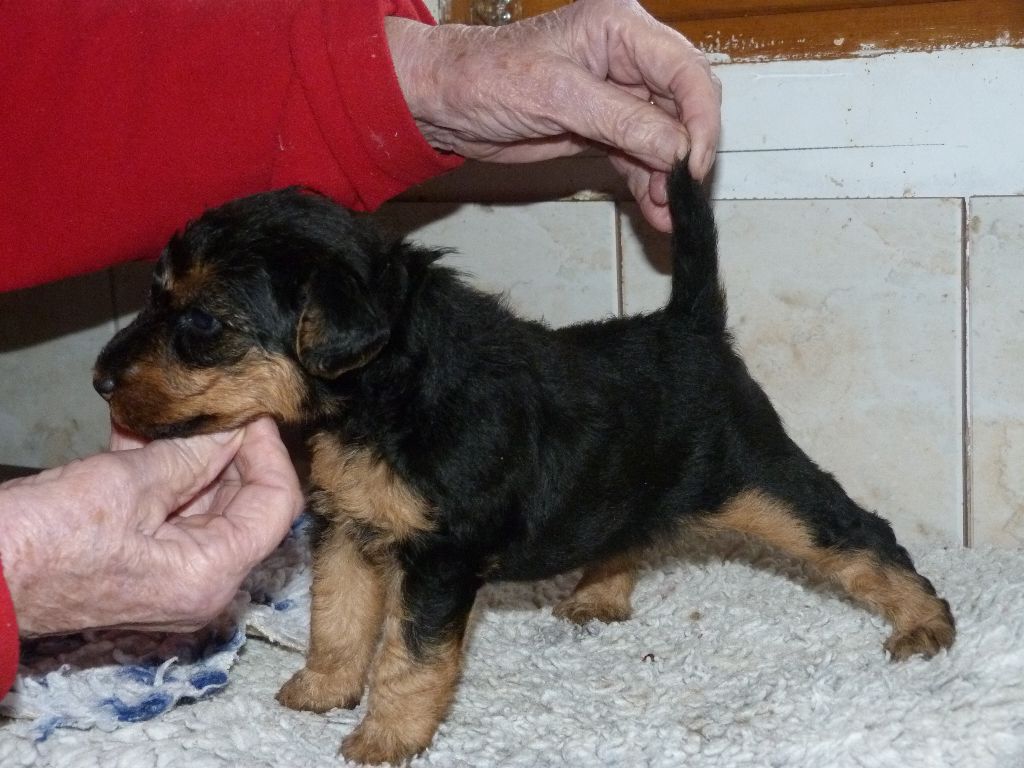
column 348, row 611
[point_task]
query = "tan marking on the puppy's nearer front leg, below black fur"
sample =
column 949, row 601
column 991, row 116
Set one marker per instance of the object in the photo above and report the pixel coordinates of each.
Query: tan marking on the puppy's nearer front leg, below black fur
column 409, row 697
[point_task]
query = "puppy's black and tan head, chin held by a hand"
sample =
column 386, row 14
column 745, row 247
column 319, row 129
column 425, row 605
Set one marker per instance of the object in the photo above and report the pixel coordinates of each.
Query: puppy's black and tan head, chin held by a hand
column 252, row 309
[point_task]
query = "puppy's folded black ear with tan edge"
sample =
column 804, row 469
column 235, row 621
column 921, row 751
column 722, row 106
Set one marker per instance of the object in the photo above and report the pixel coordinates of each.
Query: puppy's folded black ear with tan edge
column 340, row 327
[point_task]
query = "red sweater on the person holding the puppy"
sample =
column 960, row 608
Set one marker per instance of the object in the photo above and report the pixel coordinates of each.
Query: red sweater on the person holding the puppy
column 123, row 119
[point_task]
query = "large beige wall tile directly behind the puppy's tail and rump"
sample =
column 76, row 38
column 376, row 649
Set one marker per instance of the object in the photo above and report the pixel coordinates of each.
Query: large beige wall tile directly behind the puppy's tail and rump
column 848, row 314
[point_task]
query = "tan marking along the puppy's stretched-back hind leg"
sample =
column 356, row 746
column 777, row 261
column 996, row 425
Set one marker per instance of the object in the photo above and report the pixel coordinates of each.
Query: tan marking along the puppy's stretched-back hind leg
column 922, row 622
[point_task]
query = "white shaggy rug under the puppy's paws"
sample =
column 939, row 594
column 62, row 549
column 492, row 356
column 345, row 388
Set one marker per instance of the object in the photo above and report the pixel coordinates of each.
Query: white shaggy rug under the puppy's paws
column 732, row 663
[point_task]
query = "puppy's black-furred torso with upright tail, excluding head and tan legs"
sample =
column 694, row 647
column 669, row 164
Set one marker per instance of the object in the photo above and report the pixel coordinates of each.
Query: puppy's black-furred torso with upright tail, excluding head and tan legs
column 543, row 450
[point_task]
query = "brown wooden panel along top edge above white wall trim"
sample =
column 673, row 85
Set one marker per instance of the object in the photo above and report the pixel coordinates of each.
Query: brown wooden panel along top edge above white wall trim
column 748, row 30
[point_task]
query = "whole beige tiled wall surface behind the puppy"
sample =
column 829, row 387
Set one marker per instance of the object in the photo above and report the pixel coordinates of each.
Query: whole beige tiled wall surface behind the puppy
column 849, row 313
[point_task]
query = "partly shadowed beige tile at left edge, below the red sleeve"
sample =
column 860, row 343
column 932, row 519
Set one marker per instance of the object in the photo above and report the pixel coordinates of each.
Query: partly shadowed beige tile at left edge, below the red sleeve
column 50, row 337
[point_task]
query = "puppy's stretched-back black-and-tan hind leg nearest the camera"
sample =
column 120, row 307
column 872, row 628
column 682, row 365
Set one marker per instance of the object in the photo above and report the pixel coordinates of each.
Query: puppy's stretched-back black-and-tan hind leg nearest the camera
column 815, row 522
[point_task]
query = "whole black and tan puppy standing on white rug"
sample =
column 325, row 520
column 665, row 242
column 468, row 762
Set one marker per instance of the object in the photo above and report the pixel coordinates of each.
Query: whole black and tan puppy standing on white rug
column 455, row 444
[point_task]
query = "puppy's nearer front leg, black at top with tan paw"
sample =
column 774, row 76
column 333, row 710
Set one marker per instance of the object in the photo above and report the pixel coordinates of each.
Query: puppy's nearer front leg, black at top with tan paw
column 417, row 667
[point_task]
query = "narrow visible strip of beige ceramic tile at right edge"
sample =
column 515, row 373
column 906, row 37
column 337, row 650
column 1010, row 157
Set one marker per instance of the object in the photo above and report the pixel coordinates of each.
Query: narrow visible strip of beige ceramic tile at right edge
column 997, row 353
